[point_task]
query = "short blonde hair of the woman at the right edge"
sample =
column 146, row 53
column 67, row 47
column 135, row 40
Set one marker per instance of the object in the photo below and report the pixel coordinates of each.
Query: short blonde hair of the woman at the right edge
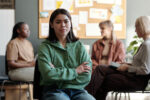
column 143, row 24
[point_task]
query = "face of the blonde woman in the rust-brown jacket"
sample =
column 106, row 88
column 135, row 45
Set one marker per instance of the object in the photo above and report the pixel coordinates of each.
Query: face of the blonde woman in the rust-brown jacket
column 106, row 31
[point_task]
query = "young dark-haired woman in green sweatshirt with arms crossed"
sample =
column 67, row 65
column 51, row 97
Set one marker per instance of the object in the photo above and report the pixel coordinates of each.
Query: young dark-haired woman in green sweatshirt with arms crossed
column 63, row 62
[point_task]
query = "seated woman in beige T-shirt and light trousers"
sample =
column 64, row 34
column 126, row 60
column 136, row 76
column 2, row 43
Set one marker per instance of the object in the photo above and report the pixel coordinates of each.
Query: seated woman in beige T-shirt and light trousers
column 20, row 54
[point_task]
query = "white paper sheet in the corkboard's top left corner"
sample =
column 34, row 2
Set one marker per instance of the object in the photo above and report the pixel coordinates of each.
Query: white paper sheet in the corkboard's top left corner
column 49, row 4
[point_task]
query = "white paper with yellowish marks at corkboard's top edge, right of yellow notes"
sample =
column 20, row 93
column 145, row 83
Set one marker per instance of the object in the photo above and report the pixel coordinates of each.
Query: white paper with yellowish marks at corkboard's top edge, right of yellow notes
column 83, row 3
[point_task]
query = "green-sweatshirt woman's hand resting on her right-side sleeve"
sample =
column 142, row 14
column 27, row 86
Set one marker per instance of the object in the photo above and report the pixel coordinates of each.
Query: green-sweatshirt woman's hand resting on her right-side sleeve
column 83, row 68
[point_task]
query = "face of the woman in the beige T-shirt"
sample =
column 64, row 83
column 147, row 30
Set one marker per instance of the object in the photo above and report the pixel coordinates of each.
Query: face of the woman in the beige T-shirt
column 24, row 31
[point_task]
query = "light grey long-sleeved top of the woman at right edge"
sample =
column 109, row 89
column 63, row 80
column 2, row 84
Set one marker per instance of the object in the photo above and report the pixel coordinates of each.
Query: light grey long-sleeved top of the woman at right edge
column 141, row 60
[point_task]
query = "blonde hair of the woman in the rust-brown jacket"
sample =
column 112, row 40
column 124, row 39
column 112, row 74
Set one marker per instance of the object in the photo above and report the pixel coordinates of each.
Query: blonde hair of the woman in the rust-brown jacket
column 108, row 23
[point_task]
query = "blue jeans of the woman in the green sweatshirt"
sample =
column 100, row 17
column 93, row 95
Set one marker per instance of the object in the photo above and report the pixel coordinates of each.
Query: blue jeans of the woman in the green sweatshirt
column 66, row 94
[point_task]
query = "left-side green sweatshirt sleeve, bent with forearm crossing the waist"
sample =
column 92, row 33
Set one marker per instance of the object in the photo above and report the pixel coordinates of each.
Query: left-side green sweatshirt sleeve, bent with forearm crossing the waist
column 52, row 74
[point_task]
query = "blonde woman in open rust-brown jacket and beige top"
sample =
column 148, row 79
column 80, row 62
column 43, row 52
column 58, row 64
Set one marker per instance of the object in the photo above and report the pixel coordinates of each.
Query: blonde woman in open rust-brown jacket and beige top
column 109, row 48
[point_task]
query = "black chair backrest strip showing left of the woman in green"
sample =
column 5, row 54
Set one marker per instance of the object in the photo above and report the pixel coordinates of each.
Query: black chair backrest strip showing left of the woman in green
column 37, row 89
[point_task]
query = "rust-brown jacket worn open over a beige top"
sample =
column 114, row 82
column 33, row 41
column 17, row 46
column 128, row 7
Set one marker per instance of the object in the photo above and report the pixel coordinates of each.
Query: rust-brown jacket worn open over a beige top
column 116, row 52
